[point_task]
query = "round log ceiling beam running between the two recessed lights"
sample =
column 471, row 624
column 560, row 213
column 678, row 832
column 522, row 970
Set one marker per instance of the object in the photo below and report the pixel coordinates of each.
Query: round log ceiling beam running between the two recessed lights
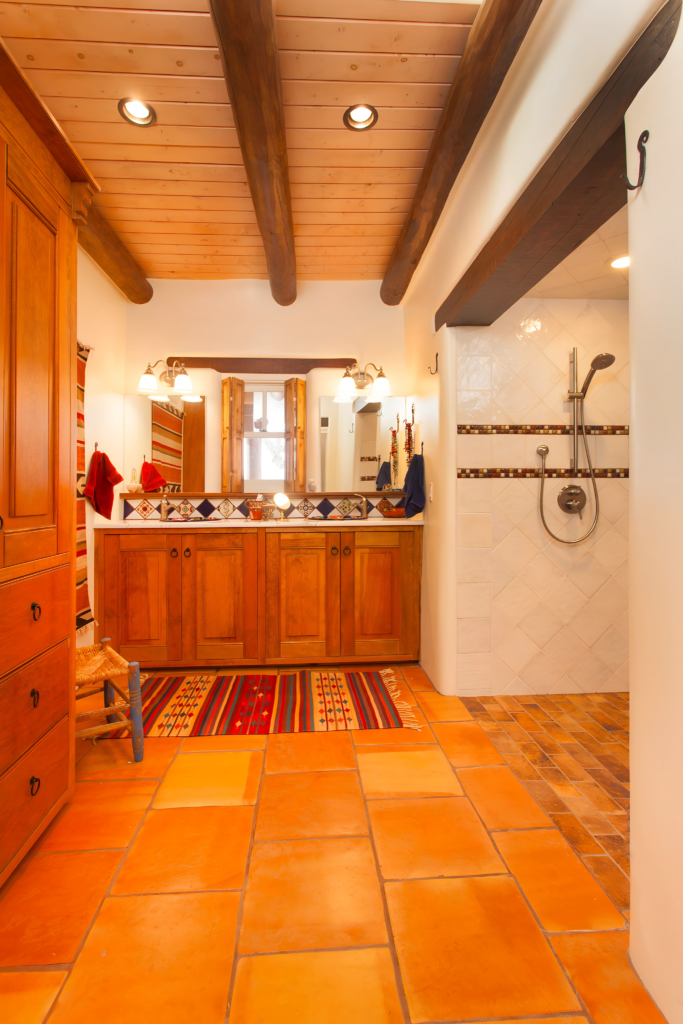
column 248, row 44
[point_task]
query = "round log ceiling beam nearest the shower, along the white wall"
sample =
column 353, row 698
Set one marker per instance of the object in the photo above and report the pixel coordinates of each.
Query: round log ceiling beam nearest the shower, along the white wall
column 493, row 45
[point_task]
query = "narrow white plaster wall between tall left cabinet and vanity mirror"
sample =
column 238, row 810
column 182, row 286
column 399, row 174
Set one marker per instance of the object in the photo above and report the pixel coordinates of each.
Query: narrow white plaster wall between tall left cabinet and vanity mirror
column 102, row 324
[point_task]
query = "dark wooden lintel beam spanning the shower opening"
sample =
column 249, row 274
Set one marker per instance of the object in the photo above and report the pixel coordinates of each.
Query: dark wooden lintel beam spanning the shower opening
column 580, row 179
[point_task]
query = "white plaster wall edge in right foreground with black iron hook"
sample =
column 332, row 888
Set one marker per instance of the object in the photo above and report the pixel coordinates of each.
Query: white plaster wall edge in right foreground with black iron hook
column 656, row 229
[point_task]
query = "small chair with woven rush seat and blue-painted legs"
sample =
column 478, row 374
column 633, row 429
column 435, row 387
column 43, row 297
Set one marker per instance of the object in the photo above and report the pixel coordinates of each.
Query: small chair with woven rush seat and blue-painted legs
column 97, row 668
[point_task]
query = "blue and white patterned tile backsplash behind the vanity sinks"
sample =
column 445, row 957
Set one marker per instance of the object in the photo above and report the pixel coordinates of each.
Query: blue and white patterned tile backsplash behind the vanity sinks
column 311, row 507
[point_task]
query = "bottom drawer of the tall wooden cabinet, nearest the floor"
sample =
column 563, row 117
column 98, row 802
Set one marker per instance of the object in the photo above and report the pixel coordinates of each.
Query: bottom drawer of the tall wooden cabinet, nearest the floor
column 22, row 814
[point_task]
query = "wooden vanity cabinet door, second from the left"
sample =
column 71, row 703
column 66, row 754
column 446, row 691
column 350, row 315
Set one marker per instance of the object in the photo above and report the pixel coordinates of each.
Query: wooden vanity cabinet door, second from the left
column 220, row 598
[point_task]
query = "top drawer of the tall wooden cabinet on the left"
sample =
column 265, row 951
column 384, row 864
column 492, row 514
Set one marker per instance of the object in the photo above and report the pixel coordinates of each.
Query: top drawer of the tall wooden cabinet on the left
column 23, row 635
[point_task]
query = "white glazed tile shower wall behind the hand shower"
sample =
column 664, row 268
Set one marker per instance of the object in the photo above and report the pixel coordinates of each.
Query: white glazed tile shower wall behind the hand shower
column 536, row 616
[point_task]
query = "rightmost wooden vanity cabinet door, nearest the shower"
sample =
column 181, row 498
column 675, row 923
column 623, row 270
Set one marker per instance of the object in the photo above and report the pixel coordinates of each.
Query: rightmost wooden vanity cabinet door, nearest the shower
column 379, row 593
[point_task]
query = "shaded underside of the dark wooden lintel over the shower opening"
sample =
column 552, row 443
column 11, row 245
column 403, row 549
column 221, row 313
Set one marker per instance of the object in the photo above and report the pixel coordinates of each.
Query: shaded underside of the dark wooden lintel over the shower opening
column 595, row 195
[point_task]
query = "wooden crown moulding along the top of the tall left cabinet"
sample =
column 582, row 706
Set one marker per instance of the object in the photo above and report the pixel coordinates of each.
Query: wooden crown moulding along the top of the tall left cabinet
column 50, row 132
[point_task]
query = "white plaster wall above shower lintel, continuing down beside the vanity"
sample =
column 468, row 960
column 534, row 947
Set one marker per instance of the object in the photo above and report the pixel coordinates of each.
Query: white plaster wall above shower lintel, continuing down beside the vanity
column 571, row 51
